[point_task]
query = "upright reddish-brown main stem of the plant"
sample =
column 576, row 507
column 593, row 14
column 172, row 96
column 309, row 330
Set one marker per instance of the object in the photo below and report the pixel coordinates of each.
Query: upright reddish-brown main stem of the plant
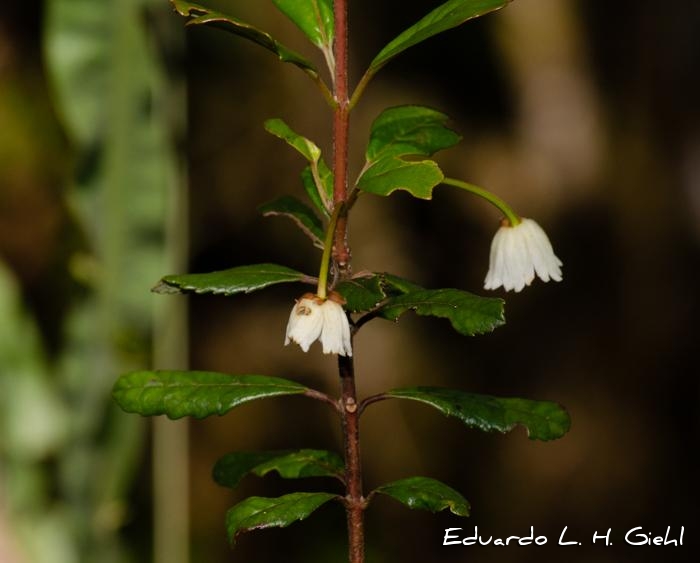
column 354, row 501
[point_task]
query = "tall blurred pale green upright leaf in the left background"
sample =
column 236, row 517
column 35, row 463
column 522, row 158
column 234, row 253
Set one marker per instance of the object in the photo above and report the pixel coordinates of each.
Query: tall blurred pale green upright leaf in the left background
column 121, row 108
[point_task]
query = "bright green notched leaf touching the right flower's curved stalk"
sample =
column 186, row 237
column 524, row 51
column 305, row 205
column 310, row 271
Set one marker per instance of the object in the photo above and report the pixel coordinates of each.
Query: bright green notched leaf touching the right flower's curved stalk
column 391, row 174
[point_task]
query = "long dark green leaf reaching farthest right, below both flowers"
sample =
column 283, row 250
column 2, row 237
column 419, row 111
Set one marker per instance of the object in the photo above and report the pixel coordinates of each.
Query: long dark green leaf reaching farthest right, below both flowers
column 543, row 420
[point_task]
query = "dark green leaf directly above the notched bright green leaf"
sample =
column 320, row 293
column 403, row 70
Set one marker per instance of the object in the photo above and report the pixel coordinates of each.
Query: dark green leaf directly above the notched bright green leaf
column 409, row 130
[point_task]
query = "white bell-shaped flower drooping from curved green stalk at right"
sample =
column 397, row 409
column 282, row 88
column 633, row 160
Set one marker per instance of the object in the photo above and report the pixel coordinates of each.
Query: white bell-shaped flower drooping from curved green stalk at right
column 517, row 254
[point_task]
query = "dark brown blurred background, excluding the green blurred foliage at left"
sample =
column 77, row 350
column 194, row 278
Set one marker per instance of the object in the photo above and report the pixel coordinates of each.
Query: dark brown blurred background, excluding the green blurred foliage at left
column 583, row 115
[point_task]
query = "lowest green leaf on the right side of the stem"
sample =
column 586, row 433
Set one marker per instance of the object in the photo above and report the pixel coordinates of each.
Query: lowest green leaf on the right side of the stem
column 426, row 494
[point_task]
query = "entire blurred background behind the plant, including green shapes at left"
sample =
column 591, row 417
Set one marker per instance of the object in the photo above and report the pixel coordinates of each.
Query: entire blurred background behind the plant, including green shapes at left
column 130, row 148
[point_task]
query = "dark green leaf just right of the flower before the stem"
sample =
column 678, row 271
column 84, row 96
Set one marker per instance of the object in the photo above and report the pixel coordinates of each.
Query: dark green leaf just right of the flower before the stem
column 468, row 313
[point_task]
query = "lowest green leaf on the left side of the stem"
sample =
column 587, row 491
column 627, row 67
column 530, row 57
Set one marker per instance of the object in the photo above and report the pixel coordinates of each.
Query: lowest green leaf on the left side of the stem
column 257, row 513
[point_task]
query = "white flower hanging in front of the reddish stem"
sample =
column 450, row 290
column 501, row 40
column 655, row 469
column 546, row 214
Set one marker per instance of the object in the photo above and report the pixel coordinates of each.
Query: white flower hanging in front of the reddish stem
column 313, row 318
